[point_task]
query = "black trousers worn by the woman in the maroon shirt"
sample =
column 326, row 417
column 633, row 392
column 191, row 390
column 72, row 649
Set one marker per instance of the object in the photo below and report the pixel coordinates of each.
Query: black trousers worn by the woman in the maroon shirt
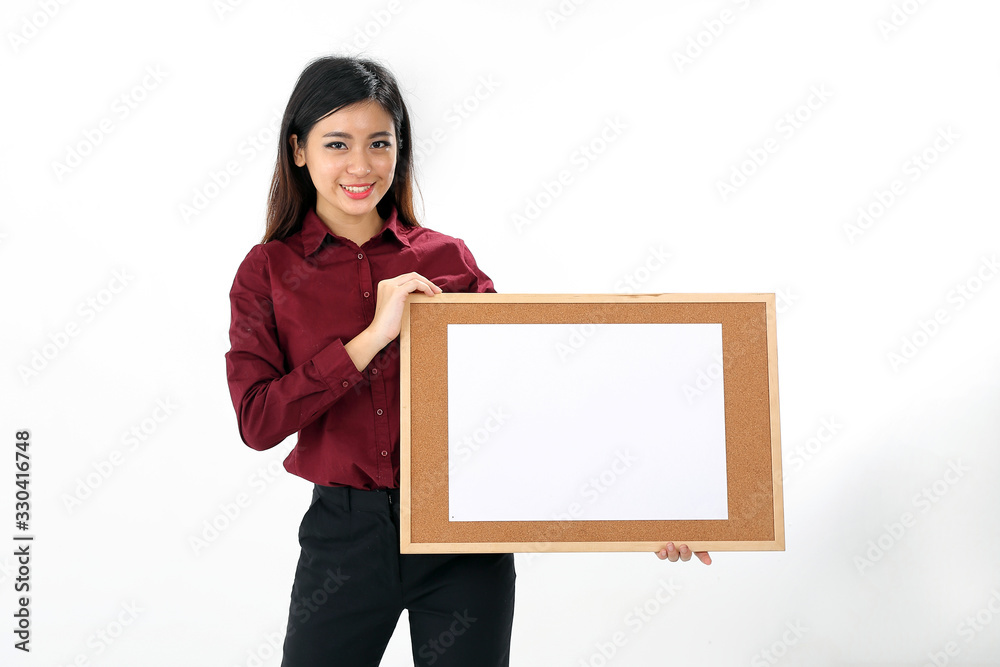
column 351, row 584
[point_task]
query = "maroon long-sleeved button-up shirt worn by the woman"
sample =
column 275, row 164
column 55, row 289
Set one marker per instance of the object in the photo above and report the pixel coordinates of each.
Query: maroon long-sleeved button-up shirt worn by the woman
column 295, row 302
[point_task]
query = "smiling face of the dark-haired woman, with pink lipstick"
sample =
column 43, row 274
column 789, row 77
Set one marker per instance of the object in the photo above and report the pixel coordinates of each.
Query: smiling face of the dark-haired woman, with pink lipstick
column 351, row 158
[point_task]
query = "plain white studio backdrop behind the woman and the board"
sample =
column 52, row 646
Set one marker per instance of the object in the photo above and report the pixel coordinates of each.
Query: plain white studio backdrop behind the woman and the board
column 891, row 490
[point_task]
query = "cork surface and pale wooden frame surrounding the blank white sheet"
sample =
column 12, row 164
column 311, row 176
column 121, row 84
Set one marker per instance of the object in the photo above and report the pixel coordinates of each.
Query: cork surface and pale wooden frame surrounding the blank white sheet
column 752, row 434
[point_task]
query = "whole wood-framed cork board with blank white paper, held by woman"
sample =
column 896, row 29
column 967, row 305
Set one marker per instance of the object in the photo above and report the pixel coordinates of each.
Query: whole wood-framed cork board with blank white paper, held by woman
column 589, row 422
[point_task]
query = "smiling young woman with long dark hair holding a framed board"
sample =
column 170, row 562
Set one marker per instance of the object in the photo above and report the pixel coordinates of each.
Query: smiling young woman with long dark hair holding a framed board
column 316, row 312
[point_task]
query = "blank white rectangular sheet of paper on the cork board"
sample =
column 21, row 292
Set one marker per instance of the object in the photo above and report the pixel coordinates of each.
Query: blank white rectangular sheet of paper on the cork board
column 554, row 417
